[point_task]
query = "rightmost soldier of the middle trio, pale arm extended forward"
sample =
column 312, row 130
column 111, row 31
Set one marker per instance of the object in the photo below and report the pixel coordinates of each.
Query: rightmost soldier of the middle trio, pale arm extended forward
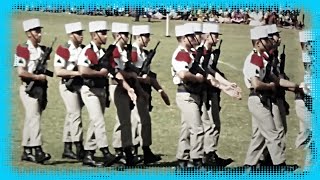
column 211, row 98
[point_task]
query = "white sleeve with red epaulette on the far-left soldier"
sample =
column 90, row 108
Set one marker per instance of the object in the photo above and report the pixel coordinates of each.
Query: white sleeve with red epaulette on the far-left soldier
column 21, row 57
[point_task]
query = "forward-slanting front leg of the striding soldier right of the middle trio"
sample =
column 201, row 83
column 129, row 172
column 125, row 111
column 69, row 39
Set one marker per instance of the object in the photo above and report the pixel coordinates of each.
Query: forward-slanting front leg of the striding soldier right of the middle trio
column 268, row 130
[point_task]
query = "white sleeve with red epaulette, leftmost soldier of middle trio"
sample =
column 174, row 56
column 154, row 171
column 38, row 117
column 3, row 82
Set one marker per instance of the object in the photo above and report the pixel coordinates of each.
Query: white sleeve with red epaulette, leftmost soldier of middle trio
column 180, row 62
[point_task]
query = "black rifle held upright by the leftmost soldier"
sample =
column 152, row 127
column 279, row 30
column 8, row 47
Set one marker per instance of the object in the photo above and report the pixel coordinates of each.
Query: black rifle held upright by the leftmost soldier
column 41, row 69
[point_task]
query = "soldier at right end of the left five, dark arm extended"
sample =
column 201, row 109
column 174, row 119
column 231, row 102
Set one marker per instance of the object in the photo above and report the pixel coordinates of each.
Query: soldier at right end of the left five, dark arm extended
column 140, row 116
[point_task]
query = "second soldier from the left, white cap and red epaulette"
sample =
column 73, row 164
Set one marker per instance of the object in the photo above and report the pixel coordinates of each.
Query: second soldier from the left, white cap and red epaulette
column 65, row 63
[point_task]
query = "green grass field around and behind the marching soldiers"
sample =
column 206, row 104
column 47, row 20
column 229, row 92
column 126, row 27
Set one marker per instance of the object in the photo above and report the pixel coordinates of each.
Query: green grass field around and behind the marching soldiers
column 235, row 117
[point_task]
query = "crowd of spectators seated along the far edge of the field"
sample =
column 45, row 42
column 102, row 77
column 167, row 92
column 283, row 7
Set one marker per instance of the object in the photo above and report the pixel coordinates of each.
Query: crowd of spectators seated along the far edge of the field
column 282, row 17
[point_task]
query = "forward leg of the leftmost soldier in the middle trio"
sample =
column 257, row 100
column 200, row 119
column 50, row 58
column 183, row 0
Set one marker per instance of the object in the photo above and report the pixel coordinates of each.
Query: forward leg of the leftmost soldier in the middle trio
column 189, row 106
